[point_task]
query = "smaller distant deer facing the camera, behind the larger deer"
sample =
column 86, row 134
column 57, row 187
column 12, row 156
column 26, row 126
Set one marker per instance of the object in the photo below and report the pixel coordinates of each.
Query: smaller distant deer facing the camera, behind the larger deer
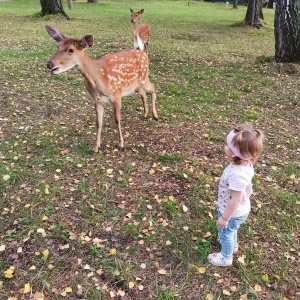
column 141, row 32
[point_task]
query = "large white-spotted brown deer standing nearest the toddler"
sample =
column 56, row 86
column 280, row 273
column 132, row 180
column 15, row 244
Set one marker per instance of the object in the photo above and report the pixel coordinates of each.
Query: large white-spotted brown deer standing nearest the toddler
column 107, row 78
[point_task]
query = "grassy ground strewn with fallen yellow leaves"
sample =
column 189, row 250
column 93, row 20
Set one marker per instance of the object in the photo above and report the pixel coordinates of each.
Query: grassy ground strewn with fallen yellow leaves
column 111, row 225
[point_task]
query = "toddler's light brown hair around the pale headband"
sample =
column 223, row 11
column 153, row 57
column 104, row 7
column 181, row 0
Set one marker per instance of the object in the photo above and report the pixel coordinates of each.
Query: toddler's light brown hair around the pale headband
column 249, row 141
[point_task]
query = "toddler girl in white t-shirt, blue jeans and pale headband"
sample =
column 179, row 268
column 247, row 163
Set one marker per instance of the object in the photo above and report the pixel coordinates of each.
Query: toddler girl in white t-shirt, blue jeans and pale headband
column 244, row 146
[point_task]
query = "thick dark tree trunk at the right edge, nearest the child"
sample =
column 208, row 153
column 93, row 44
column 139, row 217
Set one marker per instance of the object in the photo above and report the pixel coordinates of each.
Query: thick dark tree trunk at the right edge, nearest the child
column 287, row 31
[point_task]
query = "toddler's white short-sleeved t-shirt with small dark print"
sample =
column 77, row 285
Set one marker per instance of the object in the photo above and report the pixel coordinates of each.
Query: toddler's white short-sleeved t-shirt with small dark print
column 237, row 178
